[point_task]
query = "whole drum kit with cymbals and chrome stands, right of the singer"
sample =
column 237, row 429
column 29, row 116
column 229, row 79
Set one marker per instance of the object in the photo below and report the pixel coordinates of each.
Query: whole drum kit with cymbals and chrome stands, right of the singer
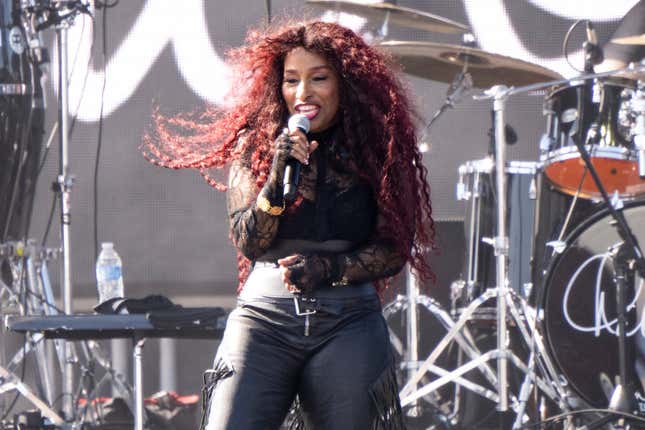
column 567, row 345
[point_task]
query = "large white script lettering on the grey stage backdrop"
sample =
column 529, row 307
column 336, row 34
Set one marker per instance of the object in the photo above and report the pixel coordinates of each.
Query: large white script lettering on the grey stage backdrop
column 202, row 68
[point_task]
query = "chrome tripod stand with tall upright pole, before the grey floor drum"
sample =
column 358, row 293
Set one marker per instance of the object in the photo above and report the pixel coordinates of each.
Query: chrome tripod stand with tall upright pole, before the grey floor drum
column 505, row 304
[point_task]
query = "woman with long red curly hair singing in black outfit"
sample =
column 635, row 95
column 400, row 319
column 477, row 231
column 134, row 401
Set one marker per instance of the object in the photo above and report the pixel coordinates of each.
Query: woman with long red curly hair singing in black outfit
column 308, row 328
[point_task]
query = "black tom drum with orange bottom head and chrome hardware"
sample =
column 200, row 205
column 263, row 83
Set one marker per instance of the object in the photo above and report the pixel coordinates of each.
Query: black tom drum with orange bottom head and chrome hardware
column 597, row 116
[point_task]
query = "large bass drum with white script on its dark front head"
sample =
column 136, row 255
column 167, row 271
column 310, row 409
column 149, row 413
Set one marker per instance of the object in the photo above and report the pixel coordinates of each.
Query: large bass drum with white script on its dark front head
column 579, row 304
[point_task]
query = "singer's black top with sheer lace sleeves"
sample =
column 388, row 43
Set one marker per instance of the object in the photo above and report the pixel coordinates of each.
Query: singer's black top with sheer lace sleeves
column 336, row 205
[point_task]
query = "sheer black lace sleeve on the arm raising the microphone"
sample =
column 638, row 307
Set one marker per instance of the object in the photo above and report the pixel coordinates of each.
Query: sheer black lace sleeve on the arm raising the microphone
column 252, row 230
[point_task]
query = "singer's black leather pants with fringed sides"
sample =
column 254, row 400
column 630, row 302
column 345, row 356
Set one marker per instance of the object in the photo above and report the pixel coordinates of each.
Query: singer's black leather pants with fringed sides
column 337, row 361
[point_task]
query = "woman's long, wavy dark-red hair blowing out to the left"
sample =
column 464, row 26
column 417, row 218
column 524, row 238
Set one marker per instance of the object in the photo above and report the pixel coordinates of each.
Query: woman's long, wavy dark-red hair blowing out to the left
column 376, row 121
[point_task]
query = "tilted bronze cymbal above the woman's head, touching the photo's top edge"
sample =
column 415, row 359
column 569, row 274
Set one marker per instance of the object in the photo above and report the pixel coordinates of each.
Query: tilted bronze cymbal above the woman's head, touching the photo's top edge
column 396, row 14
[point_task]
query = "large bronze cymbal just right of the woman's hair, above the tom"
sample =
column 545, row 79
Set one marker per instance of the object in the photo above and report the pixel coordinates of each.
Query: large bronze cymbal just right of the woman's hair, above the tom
column 442, row 62
